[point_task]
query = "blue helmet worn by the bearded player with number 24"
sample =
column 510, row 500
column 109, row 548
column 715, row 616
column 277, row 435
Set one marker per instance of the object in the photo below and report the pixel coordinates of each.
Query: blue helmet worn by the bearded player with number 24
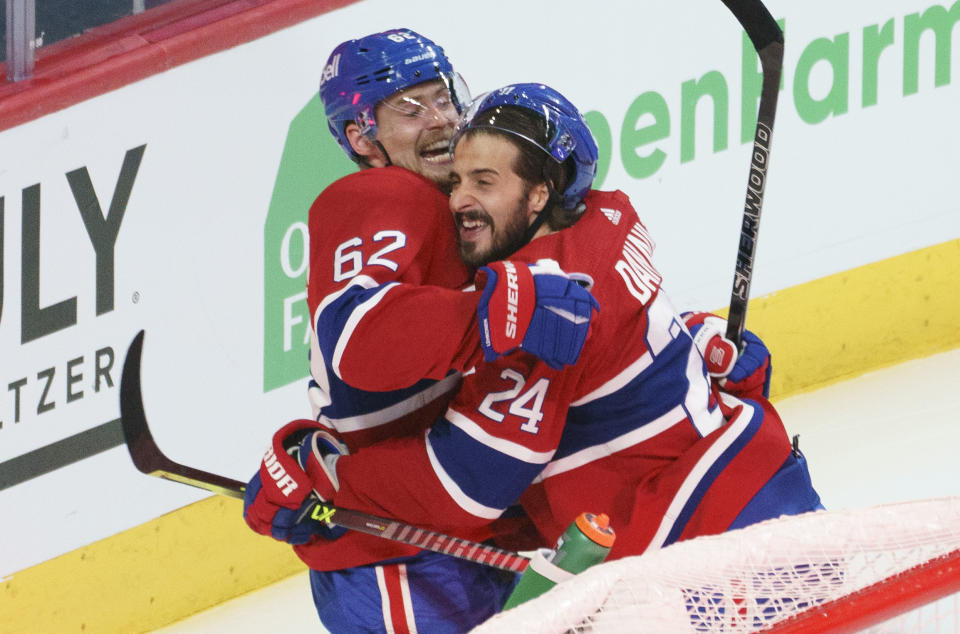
column 567, row 133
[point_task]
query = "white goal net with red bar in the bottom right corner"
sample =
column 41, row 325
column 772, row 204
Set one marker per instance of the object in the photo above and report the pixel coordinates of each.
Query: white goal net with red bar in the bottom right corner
column 890, row 568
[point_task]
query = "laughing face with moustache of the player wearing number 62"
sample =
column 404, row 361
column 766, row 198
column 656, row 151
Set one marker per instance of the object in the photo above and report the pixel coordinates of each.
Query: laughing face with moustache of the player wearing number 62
column 415, row 125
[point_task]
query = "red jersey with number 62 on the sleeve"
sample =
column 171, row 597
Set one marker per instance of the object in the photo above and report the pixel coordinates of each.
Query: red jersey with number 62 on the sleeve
column 388, row 316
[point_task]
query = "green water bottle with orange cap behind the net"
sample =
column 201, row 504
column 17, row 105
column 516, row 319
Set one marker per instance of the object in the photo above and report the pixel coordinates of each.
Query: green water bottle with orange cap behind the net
column 586, row 542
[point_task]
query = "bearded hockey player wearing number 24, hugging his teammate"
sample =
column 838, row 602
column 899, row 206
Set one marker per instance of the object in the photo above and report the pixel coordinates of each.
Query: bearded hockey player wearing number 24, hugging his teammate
column 634, row 429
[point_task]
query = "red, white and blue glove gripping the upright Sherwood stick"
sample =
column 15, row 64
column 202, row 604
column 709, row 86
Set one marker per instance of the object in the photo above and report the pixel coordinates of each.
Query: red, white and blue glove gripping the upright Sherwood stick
column 746, row 374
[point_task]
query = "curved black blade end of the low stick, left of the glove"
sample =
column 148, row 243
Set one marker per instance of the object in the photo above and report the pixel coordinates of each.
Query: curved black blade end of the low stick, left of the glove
column 144, row 452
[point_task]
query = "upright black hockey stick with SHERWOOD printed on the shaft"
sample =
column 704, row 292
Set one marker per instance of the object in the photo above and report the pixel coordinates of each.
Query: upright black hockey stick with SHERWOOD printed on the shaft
column 767, row 39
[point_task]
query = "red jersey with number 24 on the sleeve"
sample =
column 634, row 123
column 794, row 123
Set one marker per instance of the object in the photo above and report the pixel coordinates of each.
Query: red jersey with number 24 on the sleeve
column 630, row 430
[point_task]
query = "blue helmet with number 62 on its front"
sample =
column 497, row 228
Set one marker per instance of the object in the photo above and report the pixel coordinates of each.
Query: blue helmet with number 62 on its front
column 361, row 73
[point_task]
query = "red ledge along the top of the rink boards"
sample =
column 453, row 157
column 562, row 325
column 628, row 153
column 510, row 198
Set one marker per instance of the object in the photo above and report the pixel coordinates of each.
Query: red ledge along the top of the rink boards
column 119, row 53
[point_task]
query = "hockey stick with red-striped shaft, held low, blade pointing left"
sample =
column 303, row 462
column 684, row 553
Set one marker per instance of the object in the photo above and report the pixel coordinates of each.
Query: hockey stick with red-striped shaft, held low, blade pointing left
column 148, row 458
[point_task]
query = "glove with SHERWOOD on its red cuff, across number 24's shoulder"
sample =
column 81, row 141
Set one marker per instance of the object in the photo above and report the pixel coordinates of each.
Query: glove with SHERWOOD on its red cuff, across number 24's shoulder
column 536, row 307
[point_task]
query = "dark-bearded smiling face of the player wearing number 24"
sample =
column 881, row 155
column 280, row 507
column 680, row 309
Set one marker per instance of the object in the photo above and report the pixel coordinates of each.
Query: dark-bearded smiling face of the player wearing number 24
column 492, row 206
